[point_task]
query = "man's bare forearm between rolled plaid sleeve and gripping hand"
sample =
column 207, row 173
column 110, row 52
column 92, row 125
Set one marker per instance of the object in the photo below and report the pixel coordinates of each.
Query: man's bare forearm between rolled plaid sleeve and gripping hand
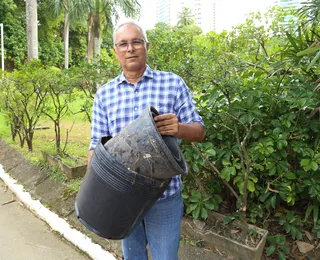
column 194, row 132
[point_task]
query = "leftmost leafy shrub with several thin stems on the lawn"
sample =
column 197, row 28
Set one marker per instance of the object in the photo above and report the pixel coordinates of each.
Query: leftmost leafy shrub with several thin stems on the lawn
column 24, row 97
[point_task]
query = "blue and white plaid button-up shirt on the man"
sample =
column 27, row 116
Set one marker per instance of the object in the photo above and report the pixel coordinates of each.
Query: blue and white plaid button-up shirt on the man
column 119, row 102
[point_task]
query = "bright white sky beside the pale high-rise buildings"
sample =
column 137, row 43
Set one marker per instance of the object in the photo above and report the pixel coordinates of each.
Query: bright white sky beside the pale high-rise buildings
column 230, row 12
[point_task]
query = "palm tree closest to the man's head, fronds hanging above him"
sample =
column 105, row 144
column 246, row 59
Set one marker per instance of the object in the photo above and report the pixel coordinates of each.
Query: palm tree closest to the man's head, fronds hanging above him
column 102, row 12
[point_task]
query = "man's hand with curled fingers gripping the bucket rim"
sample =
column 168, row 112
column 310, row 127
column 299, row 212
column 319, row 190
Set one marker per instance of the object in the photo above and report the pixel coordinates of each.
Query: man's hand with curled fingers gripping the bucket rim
column 167, row 124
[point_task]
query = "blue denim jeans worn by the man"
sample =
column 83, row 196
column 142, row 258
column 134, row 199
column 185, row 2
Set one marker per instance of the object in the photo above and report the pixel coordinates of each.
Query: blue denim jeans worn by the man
column 160, row 228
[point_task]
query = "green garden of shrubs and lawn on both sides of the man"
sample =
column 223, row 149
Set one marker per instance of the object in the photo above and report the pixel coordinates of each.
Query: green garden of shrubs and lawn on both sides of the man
column 257, row 88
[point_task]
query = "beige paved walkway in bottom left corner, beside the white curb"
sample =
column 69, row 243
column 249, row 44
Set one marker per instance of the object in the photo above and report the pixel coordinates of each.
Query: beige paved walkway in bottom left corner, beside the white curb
column 24, row 236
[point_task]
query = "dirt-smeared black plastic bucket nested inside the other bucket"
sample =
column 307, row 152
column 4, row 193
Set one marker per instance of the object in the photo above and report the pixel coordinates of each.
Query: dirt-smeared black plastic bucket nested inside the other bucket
column 142, row 149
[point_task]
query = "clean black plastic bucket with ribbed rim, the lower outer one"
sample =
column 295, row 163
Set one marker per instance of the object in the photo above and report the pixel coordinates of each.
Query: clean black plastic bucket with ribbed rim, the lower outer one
column 112, row 200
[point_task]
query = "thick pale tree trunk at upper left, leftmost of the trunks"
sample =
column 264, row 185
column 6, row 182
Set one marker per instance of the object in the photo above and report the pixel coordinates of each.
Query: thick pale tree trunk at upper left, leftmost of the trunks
column 32, row 29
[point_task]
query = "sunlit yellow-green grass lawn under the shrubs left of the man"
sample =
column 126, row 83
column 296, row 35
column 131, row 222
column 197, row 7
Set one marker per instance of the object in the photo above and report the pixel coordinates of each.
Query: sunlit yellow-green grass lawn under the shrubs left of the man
column 44, row 140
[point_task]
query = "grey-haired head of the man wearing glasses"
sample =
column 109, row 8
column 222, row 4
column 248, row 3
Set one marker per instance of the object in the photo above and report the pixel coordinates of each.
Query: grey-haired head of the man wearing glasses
column 130, row 46
